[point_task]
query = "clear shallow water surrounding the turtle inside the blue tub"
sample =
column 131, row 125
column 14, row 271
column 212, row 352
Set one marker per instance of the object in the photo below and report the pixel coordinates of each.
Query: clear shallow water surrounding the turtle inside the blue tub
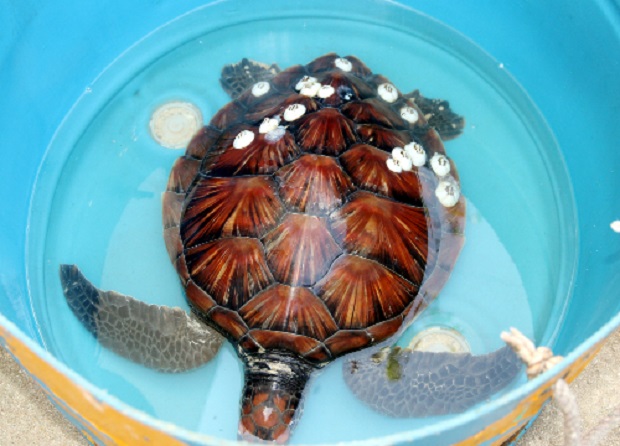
column 97, row 201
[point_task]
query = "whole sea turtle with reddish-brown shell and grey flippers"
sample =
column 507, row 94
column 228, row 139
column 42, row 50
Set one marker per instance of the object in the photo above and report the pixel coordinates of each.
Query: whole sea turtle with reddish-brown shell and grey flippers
column 315, row 215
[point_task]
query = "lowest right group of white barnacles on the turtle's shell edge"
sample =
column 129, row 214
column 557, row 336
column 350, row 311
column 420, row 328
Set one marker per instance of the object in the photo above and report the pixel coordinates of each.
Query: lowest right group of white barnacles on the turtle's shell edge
column 404, row 159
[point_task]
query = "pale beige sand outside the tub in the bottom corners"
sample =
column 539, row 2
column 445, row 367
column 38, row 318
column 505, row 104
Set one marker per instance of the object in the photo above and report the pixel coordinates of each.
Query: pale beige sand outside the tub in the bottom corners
column 28, row 418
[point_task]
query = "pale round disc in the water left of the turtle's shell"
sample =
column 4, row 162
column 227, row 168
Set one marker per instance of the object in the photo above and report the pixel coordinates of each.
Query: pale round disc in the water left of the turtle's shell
column 173, row 124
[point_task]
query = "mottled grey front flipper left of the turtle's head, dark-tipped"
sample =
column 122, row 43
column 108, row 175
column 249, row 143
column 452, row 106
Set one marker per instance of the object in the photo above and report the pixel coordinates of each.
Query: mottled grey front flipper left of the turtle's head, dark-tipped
column 163, row 338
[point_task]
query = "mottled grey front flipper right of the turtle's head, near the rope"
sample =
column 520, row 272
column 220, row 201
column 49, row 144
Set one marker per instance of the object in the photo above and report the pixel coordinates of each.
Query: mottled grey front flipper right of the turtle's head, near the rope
column 402, row 383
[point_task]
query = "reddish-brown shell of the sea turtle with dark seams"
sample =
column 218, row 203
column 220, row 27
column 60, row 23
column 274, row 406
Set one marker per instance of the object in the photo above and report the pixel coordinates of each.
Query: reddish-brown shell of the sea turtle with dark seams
column 287, row 226
